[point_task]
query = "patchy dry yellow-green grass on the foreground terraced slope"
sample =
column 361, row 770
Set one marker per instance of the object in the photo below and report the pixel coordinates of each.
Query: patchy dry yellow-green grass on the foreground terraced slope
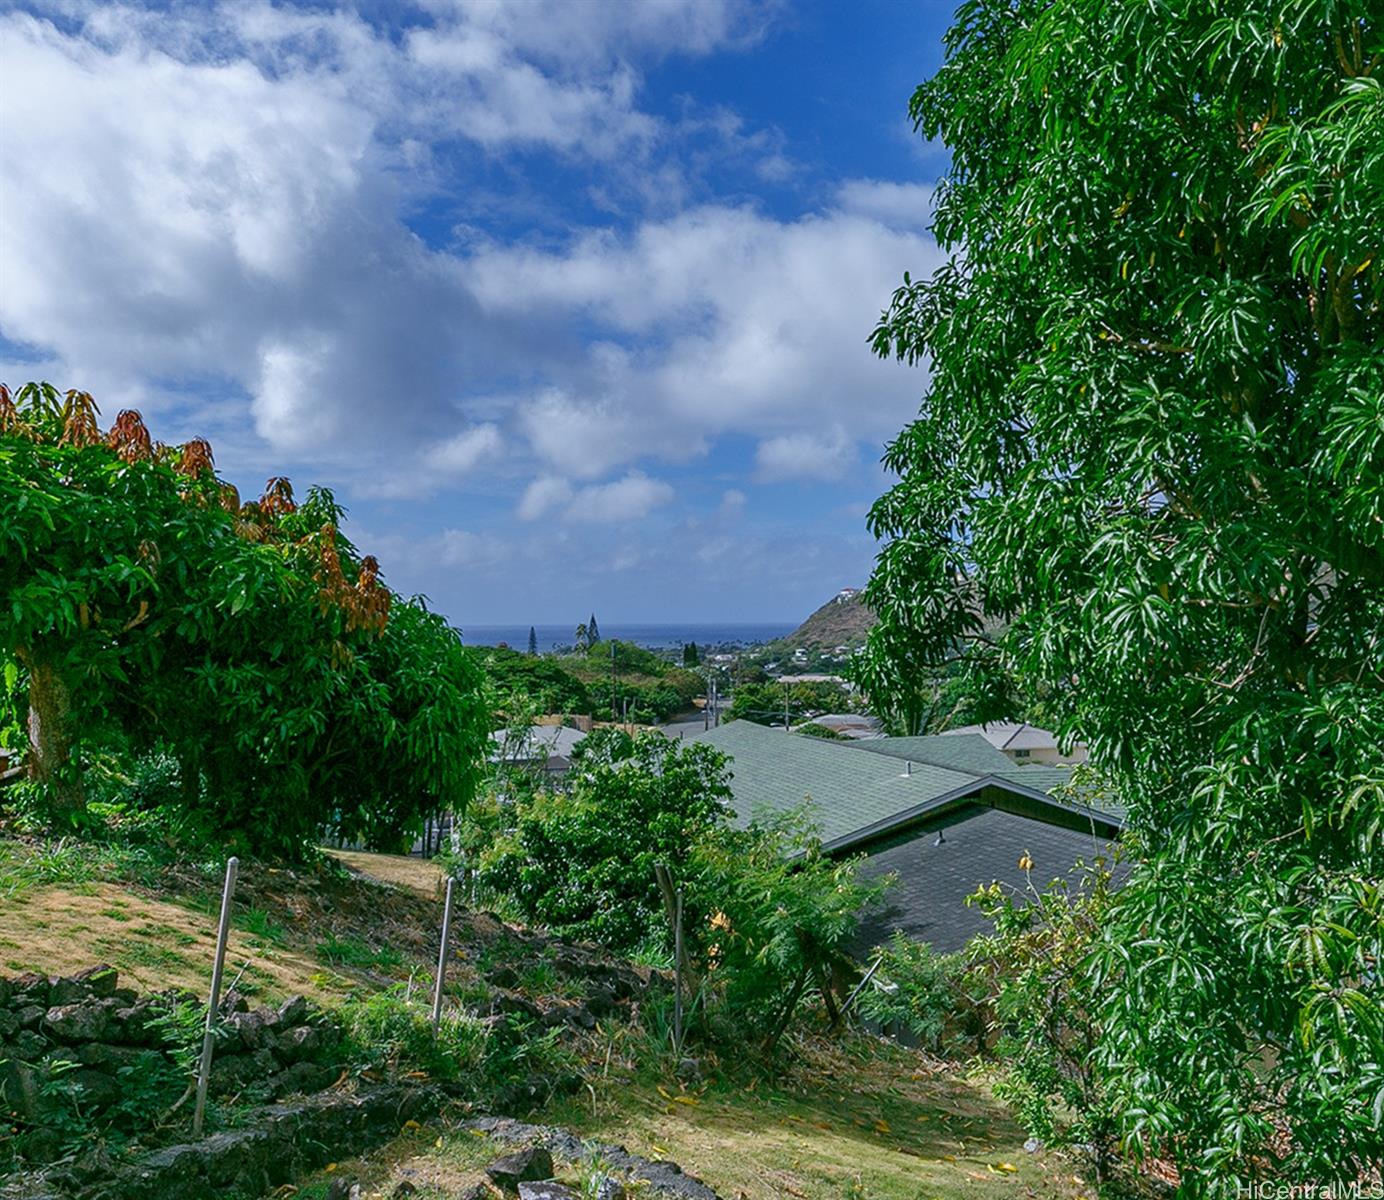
column 853, row 1120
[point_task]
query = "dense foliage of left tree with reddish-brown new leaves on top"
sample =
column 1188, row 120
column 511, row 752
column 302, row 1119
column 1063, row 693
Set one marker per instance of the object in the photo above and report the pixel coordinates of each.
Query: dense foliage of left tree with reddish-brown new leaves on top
column 147, row 608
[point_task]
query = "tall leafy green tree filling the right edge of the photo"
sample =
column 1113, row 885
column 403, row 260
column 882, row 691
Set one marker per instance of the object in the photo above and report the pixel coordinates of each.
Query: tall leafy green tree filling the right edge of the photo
column 1152, row 453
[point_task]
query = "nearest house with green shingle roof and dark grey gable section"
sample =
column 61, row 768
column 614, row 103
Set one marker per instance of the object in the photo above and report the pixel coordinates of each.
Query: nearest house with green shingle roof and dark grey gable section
column 945, row 815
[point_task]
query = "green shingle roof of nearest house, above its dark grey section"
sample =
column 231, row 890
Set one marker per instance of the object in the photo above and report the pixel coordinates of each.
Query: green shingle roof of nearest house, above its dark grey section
column 860, row 792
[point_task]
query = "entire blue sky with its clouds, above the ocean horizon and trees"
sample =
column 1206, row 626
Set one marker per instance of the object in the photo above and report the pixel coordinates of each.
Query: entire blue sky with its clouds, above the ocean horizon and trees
column 568, row 302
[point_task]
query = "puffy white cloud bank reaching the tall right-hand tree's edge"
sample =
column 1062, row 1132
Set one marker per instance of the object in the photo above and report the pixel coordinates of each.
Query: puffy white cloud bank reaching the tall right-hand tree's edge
column 715, row 322
